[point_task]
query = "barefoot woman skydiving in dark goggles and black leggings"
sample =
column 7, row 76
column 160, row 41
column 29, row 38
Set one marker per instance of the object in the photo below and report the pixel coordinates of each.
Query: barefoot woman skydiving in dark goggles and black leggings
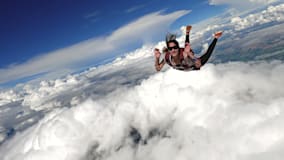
column 183, row 58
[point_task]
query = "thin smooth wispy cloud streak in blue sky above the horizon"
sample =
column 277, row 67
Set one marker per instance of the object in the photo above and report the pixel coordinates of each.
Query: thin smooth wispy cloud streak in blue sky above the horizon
column 63, row 59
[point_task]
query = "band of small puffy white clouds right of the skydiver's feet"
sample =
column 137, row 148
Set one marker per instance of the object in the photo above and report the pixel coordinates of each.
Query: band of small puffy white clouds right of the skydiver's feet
column 234, row 24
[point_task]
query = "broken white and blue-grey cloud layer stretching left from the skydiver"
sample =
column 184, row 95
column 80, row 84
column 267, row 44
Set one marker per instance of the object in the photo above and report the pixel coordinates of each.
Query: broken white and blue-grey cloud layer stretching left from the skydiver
column 24, row 105
